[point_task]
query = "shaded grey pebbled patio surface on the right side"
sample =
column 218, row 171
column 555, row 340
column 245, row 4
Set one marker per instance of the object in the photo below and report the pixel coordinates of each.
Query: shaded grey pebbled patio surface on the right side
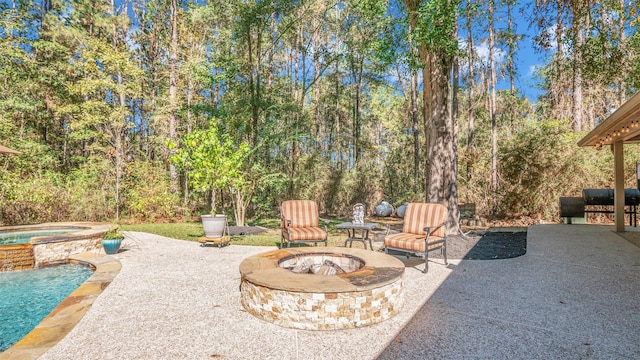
column 574, row 295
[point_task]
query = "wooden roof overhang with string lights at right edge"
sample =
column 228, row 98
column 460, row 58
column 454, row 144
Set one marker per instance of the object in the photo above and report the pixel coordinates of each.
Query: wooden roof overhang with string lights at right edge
column 623, row 125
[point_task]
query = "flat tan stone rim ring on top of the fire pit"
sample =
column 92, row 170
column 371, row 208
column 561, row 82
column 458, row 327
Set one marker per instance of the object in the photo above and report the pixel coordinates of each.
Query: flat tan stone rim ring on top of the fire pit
column 379, row 270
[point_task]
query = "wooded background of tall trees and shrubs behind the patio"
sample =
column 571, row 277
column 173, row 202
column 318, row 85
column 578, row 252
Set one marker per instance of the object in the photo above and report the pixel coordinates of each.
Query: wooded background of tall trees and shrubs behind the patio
column 119, row 106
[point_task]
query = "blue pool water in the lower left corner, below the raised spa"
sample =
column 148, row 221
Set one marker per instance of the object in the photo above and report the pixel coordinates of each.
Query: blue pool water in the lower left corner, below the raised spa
column 28, row 296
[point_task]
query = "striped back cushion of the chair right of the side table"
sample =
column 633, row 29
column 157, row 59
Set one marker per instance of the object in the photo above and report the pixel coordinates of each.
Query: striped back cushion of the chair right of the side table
column 419, row 215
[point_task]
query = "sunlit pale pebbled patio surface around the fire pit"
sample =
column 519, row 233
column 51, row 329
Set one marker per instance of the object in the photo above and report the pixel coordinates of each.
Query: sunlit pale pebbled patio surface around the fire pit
column 176, row 300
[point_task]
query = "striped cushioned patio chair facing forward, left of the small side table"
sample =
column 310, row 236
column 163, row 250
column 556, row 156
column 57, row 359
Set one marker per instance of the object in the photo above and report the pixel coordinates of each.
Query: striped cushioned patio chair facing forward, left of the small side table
column 300, row 223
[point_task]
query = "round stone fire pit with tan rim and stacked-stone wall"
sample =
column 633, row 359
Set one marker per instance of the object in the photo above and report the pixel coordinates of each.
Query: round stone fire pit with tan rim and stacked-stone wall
column 322, row 288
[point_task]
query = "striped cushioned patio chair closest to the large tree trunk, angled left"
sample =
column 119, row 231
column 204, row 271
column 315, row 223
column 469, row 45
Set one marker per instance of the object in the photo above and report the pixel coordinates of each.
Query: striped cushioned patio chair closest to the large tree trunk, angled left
column 423, row 230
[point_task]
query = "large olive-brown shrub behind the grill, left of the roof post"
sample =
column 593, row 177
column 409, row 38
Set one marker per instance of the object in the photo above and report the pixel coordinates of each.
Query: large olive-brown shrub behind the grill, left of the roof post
column 543, row 162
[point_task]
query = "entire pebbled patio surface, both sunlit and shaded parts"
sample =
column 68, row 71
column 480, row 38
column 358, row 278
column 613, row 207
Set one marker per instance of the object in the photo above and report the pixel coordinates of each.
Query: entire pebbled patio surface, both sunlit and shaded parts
column 574, row 295
